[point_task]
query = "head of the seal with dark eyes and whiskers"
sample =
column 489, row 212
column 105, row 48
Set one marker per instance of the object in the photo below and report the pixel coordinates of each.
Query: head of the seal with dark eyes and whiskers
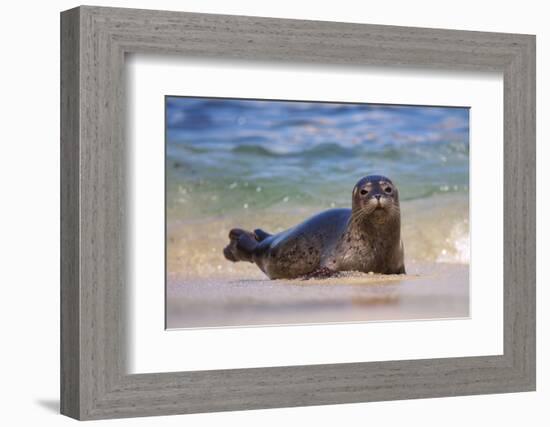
column 376, row 198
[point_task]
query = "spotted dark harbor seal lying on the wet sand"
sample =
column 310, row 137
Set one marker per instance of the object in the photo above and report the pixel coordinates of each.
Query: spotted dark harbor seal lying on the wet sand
column 365, row 238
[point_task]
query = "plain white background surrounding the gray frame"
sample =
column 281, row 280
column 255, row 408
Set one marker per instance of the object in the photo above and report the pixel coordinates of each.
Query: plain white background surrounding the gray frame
column 29, row 172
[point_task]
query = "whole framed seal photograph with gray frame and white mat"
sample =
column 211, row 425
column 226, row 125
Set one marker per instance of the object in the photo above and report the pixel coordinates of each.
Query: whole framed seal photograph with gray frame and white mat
column 262, row 213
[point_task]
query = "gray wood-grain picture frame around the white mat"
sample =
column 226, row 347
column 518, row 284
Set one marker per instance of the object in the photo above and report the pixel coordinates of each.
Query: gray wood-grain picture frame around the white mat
column 94, row 41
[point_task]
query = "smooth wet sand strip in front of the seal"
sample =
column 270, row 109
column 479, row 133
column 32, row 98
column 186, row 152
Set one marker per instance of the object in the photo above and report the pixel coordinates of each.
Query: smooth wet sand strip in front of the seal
column 428, row 291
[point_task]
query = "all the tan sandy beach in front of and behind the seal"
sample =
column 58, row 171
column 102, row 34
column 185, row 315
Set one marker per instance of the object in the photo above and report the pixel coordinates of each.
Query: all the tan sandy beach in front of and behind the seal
column 206, row 290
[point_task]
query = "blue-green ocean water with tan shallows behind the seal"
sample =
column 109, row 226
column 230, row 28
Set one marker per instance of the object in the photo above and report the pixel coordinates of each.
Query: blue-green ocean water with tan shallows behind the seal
column 269, row 164
